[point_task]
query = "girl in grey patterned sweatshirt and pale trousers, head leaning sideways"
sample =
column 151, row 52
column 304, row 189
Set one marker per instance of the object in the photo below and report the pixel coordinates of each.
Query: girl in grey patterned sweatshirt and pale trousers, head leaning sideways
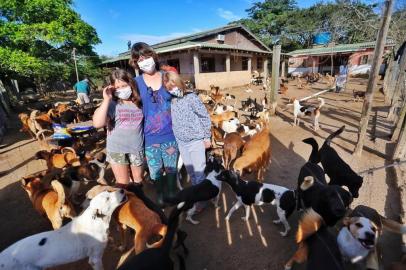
column 191, row 126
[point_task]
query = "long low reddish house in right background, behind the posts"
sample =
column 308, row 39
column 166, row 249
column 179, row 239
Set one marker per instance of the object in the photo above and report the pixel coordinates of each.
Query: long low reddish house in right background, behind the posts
column 327, row 59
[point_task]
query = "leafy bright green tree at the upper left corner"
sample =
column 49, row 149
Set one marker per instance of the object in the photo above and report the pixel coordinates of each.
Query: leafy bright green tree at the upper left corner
column 37, row 38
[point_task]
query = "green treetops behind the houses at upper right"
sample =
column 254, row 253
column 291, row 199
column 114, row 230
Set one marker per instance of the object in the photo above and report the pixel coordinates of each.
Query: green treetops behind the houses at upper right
column 348, row 21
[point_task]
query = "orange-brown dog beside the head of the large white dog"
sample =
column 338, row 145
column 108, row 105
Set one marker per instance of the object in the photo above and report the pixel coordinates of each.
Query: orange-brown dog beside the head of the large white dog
column 136, row 215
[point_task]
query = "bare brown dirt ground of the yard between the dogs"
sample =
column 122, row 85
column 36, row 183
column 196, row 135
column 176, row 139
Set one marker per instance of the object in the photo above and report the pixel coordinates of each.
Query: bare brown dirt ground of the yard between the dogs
column 214, row 243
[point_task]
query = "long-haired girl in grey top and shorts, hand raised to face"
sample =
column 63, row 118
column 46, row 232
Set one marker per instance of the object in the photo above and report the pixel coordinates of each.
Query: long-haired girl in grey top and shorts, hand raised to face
column 121, row 112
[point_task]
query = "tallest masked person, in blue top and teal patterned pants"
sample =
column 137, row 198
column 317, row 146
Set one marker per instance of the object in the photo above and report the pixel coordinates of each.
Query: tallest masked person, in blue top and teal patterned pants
column 161, row 149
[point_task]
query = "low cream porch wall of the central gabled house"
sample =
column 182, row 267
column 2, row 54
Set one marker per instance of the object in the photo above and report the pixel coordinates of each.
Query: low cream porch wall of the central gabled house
column 222, row 79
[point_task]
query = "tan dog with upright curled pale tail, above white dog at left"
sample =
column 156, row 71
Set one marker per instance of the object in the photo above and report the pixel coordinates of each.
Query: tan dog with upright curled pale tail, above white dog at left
column 48, row 200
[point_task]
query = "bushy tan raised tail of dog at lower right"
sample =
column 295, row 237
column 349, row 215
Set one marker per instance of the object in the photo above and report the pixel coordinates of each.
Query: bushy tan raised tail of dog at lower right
column 309, row 224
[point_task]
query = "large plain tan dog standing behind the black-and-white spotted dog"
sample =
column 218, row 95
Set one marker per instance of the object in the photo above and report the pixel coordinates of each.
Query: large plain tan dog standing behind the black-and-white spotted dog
column 255, row 155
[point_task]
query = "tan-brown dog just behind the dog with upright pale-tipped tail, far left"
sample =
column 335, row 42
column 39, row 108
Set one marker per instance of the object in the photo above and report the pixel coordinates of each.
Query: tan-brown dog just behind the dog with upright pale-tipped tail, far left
column 54, row 159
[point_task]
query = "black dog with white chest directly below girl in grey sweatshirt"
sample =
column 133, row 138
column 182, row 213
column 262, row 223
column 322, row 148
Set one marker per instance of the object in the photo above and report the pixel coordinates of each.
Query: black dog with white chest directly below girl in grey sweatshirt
column 208, row 189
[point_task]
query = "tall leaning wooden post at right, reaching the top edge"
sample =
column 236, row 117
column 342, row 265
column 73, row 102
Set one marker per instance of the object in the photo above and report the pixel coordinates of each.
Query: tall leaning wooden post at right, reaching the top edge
column 373, row 76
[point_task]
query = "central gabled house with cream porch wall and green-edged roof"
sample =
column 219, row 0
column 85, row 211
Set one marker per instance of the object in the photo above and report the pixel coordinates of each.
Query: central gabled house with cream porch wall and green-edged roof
column 225, row 56
